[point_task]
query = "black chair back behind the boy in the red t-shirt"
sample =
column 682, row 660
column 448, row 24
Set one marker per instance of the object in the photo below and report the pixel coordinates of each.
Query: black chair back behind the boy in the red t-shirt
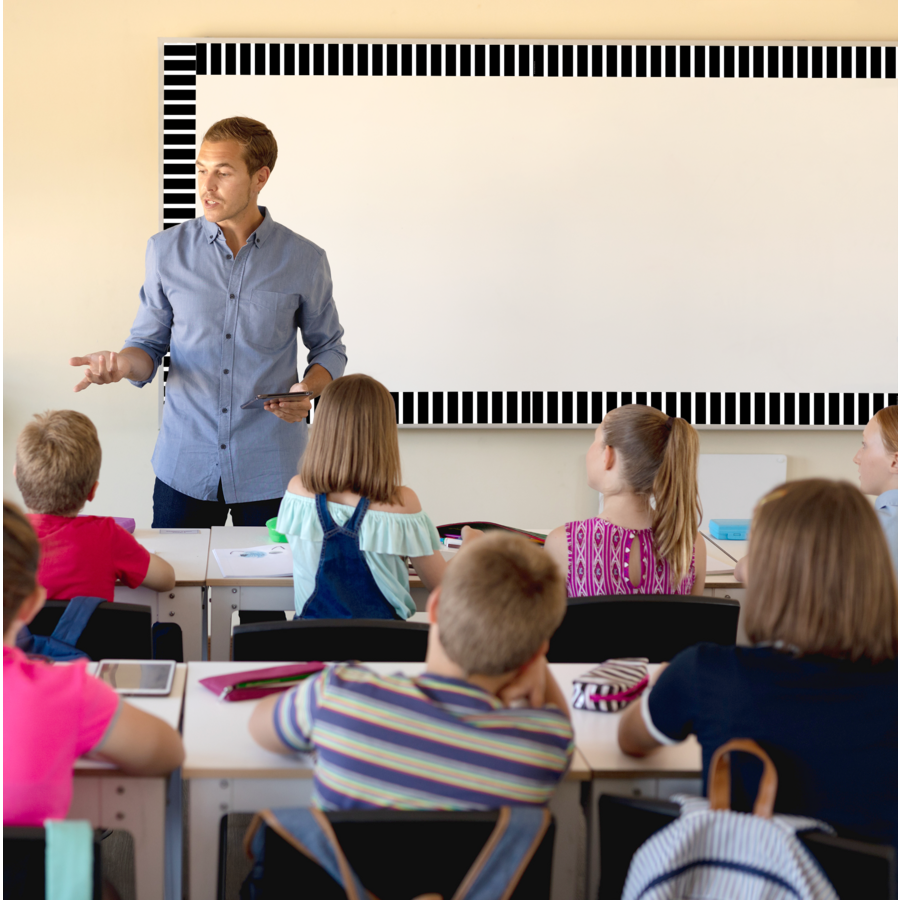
column 114, row 631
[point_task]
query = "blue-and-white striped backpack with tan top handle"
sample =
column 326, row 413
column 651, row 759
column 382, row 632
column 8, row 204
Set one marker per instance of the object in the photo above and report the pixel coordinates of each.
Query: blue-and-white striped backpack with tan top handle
column 713, row 853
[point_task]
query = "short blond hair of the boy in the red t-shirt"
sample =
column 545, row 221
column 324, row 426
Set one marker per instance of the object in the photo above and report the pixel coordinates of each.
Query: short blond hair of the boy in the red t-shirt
column 57, row 462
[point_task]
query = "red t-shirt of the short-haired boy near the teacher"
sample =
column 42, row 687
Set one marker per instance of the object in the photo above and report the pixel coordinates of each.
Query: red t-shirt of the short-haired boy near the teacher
column 82, row 556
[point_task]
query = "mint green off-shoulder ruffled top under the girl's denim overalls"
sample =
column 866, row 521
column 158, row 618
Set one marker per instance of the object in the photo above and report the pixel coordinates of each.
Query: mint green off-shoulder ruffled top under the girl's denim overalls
column 385, row 539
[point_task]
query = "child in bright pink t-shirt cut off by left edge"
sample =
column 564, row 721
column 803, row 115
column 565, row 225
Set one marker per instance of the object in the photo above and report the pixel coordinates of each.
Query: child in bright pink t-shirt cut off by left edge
column 52, row 714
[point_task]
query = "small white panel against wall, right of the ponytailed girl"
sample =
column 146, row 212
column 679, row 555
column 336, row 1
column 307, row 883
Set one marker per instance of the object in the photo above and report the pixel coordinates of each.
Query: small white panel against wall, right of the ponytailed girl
column 731, row 484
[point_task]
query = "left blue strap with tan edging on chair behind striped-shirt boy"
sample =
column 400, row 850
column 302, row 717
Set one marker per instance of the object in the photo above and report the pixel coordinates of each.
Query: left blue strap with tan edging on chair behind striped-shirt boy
column 310, row 832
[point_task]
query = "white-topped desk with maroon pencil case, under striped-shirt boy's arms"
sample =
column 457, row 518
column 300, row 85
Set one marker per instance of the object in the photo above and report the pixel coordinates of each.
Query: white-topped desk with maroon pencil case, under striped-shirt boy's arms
column 230, row 773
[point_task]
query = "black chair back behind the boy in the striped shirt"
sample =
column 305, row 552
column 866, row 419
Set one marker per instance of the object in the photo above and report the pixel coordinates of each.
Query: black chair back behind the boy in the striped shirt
column 438, row 849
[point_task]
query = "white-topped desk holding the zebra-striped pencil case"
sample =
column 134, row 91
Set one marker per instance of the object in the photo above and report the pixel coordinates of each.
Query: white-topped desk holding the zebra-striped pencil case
column 666, row 771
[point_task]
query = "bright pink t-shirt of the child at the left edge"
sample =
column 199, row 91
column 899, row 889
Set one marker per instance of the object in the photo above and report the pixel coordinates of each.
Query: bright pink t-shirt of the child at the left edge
column 52, row 714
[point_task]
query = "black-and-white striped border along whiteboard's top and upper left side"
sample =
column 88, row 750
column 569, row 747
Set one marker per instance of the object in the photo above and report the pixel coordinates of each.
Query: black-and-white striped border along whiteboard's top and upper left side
column 183, row 62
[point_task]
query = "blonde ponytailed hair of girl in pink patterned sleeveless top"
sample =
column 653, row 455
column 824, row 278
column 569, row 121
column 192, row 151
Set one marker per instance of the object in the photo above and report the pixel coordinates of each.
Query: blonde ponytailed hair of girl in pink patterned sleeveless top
column 659, row 459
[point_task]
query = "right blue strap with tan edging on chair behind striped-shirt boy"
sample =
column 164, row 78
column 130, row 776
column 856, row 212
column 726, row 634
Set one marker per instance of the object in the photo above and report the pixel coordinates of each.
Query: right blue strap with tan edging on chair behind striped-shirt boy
column 507, row 853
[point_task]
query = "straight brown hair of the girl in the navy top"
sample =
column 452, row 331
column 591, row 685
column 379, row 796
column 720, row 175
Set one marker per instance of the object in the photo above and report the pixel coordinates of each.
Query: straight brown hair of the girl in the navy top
column 820, row 576
